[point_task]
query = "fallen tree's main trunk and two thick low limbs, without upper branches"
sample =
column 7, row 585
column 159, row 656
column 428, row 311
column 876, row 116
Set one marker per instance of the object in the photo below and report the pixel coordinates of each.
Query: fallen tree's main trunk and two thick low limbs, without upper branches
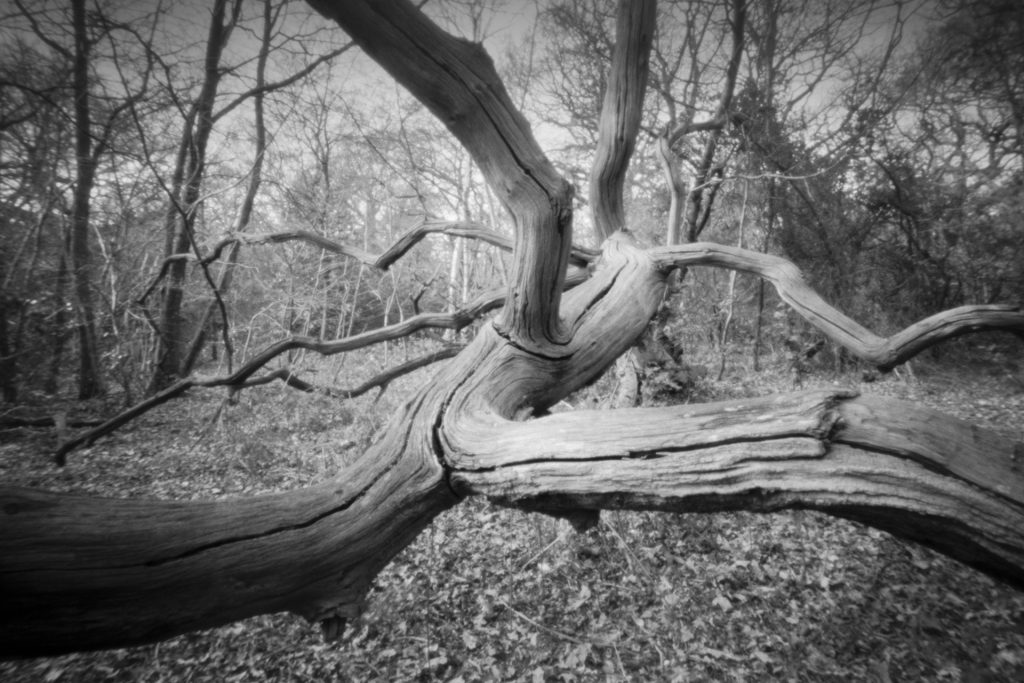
column 81, row 574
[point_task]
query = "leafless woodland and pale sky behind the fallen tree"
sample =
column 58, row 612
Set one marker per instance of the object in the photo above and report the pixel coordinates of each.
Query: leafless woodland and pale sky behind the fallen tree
column 878, row 145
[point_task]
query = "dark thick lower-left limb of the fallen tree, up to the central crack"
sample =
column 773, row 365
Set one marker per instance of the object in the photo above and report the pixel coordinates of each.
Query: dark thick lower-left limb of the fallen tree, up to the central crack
column 83, row 573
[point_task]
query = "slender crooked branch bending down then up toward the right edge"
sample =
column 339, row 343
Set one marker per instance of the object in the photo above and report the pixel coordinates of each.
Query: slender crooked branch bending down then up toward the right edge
column 885, row 353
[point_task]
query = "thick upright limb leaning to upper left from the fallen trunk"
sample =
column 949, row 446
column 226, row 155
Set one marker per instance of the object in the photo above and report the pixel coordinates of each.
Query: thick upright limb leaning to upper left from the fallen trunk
column 457, row 81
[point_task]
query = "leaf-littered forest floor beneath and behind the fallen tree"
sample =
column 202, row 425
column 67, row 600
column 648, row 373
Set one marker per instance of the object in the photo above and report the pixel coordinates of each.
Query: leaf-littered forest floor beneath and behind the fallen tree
column 490, row 594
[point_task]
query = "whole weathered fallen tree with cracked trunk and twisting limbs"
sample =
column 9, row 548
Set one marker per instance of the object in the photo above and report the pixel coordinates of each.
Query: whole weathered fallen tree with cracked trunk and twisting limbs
column 80, row 573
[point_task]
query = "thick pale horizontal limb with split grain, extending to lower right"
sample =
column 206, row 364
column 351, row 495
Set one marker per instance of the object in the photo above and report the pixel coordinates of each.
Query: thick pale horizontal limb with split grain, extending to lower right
column 917, row 474
